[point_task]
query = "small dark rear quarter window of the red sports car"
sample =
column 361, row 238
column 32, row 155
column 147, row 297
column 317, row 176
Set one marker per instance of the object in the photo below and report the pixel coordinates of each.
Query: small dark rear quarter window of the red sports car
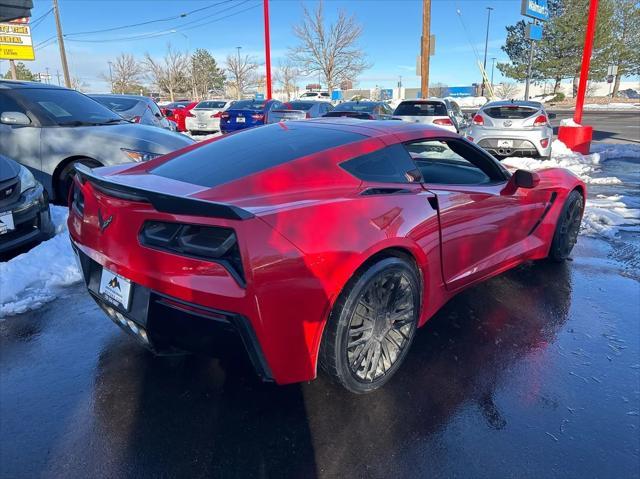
column 388, row 165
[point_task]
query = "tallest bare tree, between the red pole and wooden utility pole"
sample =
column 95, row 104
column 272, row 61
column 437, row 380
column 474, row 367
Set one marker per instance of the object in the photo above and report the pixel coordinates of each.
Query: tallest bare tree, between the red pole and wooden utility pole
column 330, row 51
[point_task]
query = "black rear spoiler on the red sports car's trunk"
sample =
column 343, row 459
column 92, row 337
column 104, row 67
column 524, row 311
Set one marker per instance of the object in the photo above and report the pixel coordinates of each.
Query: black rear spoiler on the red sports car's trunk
column 164, row 202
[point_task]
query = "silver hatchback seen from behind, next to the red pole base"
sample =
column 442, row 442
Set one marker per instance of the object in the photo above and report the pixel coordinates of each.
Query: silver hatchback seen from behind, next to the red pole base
column 512, row 128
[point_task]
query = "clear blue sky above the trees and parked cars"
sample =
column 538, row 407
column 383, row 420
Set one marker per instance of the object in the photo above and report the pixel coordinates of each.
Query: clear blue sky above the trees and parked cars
column 391, row 35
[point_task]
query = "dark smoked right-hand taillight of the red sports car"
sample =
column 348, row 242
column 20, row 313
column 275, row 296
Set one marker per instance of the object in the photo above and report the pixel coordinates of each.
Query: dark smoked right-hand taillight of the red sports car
column 208, row 243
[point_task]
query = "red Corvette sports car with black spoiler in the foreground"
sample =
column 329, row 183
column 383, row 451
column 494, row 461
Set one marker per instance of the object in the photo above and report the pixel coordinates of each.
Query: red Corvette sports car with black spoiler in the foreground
column 324, row 242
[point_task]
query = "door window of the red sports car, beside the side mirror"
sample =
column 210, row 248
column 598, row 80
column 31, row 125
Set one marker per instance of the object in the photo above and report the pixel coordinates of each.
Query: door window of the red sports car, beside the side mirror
column 451, row 162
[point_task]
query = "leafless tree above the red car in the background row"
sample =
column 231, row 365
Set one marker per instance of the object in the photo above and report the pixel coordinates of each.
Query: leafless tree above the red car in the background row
column 171, row 74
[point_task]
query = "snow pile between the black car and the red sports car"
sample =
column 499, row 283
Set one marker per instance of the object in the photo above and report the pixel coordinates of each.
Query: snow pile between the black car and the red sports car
column 34, row 278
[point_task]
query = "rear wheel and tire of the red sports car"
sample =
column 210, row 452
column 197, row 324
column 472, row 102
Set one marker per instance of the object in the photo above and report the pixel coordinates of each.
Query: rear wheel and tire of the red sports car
column 372, row 325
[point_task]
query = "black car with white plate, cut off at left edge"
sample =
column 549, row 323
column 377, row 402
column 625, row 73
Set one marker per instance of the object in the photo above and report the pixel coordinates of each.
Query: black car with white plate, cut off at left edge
column 24, row 207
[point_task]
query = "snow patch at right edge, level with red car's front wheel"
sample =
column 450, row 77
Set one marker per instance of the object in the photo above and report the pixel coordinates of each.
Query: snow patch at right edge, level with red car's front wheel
column 606, row 215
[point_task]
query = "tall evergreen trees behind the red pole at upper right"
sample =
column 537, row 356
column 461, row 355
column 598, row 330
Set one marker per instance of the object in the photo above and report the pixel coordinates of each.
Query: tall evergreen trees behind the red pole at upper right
column 558, row 55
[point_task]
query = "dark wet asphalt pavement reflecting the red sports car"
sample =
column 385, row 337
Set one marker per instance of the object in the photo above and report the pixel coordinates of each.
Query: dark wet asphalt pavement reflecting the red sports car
column 532, row 374
